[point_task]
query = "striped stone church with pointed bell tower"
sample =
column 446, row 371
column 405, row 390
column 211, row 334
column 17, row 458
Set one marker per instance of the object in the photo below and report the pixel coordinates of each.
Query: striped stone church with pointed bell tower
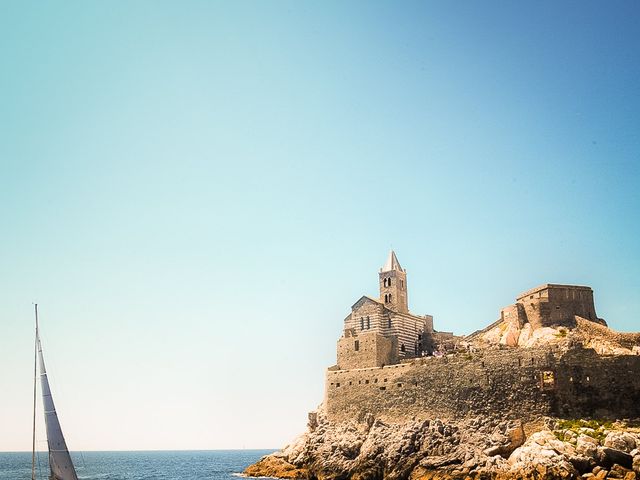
column 381, row 331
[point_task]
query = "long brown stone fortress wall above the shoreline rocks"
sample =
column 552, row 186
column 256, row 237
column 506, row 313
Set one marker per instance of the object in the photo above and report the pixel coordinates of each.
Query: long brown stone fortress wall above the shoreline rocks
column 514, row 383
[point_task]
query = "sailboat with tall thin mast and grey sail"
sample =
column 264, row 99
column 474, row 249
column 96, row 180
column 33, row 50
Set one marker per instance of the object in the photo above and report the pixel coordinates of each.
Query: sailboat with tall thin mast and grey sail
column 60, row 462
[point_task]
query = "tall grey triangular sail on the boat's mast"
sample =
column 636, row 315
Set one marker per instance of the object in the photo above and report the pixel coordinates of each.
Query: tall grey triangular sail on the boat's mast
column 59, row 458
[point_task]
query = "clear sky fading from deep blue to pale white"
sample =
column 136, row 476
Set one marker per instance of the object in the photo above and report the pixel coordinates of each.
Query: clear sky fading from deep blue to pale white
column 195, row 193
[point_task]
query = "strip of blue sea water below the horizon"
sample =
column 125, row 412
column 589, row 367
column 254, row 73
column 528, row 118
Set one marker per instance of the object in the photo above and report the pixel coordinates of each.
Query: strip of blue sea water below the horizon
column 180, row 465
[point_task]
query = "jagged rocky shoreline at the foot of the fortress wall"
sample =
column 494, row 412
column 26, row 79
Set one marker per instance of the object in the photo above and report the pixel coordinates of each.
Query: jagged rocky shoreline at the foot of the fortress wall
column 479, row 448
